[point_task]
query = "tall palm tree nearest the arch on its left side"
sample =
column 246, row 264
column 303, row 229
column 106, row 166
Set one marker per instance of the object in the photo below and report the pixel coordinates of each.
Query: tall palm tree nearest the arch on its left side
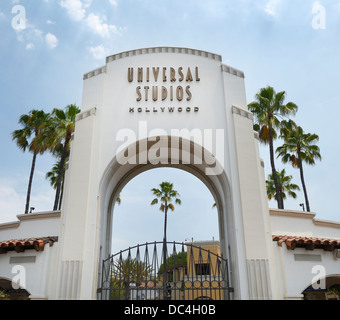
column 59, row 141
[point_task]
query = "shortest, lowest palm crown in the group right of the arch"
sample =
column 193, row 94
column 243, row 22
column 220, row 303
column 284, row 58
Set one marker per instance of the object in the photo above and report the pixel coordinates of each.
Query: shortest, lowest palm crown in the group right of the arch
column 285, row 185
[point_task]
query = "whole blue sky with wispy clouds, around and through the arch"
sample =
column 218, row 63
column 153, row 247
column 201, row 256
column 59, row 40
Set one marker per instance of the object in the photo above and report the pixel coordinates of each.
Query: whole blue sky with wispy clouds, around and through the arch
column 48, row 45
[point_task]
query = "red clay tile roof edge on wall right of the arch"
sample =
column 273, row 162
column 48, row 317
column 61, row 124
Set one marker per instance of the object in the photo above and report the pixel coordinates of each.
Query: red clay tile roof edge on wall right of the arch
column 309, row 243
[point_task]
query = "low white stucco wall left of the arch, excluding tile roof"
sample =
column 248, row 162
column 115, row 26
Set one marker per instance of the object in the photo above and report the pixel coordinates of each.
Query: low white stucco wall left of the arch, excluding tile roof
column 35, row 269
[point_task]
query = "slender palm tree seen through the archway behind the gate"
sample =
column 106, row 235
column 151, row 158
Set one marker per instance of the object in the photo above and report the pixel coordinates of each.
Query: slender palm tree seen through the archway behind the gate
column 166, row 194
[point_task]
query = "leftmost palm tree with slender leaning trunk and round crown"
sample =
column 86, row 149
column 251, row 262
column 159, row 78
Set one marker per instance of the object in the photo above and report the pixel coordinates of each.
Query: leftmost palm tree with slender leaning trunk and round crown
column 29, row 137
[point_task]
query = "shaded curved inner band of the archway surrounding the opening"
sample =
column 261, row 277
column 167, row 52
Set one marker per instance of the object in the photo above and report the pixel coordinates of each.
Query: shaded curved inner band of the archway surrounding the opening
column 118, row 175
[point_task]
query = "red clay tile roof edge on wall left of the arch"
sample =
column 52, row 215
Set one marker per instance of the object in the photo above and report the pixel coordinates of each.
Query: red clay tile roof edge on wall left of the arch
column 20, row 245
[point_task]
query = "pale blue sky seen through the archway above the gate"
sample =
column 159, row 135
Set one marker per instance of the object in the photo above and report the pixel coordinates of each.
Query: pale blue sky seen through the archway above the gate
column 135, row 221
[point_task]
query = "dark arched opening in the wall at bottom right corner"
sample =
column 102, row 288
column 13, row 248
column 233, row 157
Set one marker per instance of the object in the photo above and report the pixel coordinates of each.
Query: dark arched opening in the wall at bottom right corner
column 325, row 289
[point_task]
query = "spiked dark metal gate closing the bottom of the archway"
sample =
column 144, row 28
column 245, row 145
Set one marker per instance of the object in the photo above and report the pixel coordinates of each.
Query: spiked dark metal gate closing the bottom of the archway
column 165, row 271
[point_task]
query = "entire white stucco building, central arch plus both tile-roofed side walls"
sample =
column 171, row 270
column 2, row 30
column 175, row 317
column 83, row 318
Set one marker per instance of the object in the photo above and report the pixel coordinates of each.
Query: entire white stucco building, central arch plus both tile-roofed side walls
column 125, row 129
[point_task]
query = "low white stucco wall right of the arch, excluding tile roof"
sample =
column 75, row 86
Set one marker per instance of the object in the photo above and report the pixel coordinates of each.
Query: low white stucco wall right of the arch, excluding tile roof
column 297, row 269
